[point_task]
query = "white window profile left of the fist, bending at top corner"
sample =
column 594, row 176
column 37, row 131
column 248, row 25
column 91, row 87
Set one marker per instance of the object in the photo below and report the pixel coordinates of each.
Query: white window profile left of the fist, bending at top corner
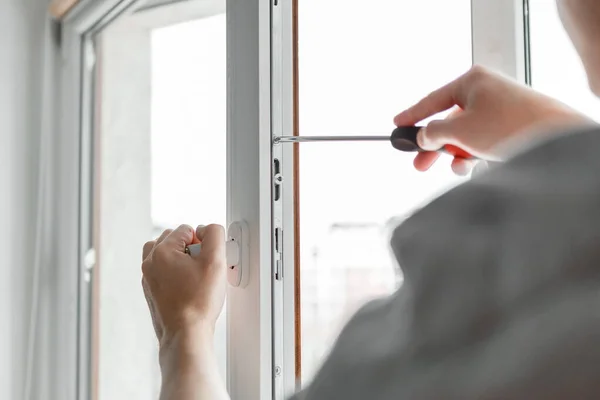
column 74, row 194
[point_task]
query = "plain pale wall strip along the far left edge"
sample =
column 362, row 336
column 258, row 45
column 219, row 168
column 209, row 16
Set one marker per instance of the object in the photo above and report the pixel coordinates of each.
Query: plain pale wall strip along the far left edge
column 21, row 48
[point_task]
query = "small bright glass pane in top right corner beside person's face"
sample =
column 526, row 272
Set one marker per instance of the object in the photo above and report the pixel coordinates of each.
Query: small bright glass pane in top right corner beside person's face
column 556, row 69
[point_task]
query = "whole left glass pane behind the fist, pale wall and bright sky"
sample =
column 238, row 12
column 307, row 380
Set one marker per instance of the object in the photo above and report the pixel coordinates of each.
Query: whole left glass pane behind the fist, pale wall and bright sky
column 160, row 162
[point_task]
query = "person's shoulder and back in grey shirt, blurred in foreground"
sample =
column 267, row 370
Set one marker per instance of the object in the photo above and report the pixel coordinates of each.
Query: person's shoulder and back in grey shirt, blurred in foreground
column 501, row 298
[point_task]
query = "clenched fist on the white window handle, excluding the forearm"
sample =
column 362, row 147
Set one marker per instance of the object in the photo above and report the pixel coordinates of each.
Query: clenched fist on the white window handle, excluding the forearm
column 184, row 291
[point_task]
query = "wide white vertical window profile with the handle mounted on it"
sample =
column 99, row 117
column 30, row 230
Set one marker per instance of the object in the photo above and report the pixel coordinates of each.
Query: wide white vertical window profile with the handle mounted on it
column 250, row 184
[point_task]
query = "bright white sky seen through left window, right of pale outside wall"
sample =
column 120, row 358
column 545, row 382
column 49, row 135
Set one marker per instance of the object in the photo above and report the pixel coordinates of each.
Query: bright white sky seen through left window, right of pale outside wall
column 189, row 108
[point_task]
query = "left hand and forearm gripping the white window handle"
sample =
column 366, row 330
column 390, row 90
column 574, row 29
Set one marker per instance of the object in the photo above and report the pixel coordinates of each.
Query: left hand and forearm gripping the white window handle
column 185, row 296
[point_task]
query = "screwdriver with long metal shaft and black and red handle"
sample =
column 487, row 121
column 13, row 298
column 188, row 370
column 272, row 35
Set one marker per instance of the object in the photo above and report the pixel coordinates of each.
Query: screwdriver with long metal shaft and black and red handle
column 403, row 138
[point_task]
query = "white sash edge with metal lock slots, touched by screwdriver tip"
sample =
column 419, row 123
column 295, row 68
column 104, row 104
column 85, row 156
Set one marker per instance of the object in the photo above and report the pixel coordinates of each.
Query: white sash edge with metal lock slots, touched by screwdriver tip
column 282, row 118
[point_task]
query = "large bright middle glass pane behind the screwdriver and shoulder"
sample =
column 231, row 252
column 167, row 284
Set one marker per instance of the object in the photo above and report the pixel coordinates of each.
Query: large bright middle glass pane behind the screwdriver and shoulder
column 359, row 65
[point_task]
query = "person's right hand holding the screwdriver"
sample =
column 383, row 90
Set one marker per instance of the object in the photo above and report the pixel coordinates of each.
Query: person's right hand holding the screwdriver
column 488, row 110
